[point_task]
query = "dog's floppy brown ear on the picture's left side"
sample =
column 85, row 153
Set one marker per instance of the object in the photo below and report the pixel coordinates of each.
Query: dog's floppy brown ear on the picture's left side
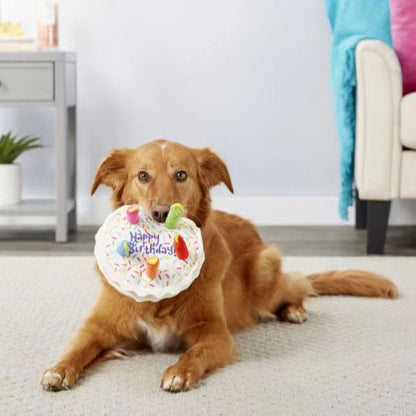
column 112, row 171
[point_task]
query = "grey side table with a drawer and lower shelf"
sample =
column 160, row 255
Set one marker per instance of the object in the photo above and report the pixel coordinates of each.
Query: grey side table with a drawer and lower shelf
column 46, row 78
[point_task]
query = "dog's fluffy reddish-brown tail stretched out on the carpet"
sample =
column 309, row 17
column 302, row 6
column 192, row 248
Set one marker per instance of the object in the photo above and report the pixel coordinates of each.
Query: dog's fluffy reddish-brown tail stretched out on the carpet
column 353, row 283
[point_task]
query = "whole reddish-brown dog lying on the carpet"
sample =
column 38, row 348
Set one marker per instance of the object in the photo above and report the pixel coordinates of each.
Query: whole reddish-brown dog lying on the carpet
column 241, row 281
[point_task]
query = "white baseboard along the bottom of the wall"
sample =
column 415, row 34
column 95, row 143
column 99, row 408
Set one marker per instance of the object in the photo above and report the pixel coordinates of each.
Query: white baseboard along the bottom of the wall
column 278, row 210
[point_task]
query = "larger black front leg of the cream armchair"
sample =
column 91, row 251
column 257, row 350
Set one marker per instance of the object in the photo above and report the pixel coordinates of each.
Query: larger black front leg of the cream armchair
column 377, row 221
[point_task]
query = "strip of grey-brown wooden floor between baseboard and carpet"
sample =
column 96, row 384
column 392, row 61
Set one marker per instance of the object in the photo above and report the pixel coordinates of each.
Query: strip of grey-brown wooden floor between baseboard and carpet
column 293, row 240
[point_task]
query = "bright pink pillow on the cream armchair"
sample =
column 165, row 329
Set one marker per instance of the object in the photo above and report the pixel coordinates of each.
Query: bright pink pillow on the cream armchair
column 403, row 29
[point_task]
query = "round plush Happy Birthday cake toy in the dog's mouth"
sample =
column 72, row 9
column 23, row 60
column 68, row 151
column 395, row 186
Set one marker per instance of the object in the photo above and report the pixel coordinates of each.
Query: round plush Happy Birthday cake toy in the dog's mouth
column 146, row 260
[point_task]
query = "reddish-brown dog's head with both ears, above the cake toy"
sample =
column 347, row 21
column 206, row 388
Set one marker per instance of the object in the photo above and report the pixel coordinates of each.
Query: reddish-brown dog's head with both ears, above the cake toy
column 161, row 173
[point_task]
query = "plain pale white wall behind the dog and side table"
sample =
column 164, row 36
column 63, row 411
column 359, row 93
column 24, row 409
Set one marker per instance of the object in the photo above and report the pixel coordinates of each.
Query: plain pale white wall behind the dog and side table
column 249, row 78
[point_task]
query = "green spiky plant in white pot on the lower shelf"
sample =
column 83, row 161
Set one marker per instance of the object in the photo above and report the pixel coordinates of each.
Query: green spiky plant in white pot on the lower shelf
column 11, row 147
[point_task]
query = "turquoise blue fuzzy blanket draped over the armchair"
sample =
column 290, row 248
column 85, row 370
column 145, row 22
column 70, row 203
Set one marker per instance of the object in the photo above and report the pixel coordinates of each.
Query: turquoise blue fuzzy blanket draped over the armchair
column 351, row 21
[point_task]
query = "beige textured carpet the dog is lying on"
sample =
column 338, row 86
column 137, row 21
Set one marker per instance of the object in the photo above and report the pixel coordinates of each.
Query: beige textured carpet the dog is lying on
column 353, row 356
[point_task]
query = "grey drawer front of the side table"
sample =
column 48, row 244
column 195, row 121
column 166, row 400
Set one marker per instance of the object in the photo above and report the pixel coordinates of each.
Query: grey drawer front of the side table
column 26, row 81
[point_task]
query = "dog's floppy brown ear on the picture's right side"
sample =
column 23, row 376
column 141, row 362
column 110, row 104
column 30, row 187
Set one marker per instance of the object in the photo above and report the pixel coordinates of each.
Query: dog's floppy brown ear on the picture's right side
column 213, row 169
